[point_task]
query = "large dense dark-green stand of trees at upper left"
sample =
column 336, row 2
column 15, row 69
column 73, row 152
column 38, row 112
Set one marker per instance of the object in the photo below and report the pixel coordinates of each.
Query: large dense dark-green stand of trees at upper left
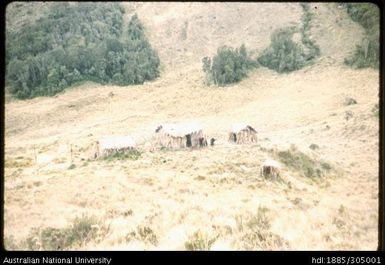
column 76, row 42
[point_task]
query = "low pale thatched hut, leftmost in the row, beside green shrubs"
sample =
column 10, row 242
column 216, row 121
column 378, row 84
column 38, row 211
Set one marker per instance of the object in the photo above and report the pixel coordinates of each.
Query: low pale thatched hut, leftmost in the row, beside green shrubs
column 111, row 145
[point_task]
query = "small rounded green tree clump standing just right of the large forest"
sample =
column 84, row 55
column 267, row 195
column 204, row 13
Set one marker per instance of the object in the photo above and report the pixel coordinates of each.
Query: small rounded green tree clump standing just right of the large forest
column 228, row 65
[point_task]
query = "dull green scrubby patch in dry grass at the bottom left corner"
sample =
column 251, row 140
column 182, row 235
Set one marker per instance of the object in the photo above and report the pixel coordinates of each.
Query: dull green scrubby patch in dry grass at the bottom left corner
column 81, row 231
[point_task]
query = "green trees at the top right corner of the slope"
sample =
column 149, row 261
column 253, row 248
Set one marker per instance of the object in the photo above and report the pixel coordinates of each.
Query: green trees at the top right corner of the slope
column 367, row 53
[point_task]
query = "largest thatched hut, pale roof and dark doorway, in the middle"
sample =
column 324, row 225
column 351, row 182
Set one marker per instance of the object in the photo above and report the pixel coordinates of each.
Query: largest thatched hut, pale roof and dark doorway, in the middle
column 180, row 135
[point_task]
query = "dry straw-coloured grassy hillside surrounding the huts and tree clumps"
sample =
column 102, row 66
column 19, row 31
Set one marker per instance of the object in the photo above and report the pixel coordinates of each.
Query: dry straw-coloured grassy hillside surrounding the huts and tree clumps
column 209, row 198
